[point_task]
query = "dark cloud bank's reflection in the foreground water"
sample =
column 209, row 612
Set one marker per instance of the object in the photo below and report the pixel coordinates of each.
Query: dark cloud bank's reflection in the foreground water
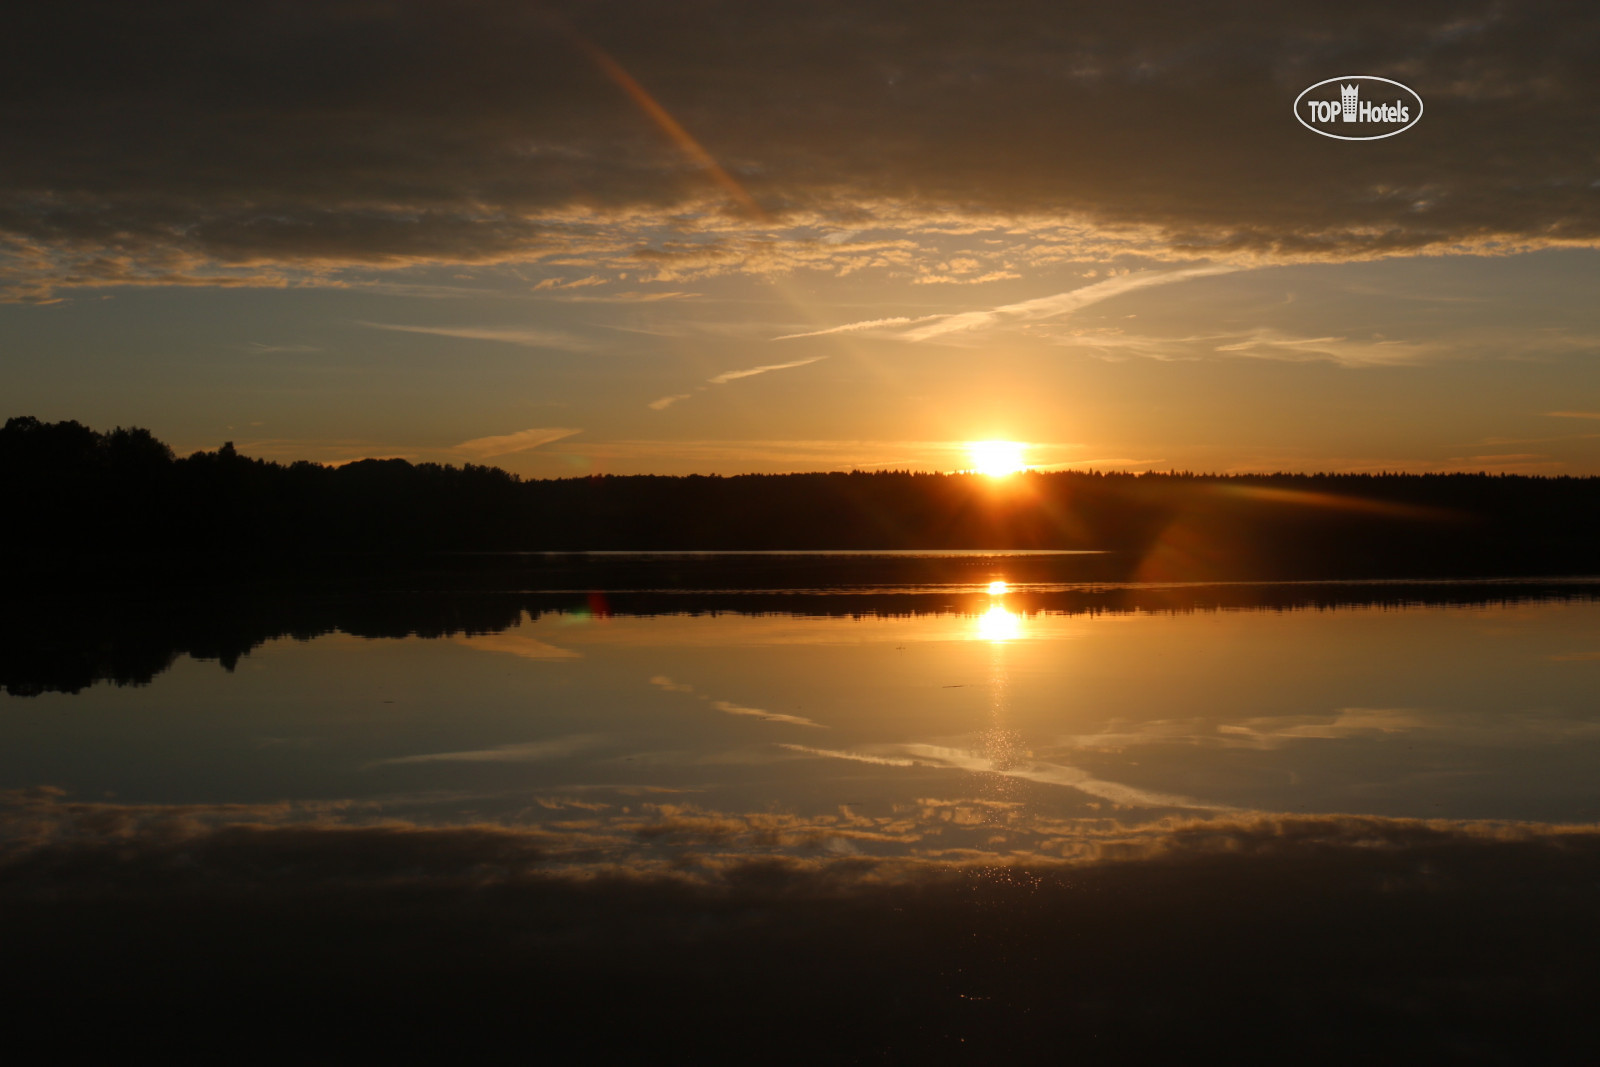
column 473, row 937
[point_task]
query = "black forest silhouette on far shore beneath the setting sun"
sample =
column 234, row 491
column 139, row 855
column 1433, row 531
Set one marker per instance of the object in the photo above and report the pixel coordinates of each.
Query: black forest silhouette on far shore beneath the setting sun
column 121, row 503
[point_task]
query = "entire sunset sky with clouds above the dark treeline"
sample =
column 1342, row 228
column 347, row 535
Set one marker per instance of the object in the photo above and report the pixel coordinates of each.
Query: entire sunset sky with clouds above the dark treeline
column 618, row 238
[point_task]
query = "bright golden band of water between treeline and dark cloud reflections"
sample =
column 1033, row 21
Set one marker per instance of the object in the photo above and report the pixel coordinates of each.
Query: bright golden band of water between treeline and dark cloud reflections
column 983, row 724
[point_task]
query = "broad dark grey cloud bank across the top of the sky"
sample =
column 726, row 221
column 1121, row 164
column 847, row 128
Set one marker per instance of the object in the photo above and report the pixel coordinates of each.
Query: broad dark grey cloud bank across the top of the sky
column 158, row 145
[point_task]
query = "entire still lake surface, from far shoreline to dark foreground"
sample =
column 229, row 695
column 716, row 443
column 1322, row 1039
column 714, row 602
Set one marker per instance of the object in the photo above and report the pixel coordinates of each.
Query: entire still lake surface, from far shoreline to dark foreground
column 857, row 823
